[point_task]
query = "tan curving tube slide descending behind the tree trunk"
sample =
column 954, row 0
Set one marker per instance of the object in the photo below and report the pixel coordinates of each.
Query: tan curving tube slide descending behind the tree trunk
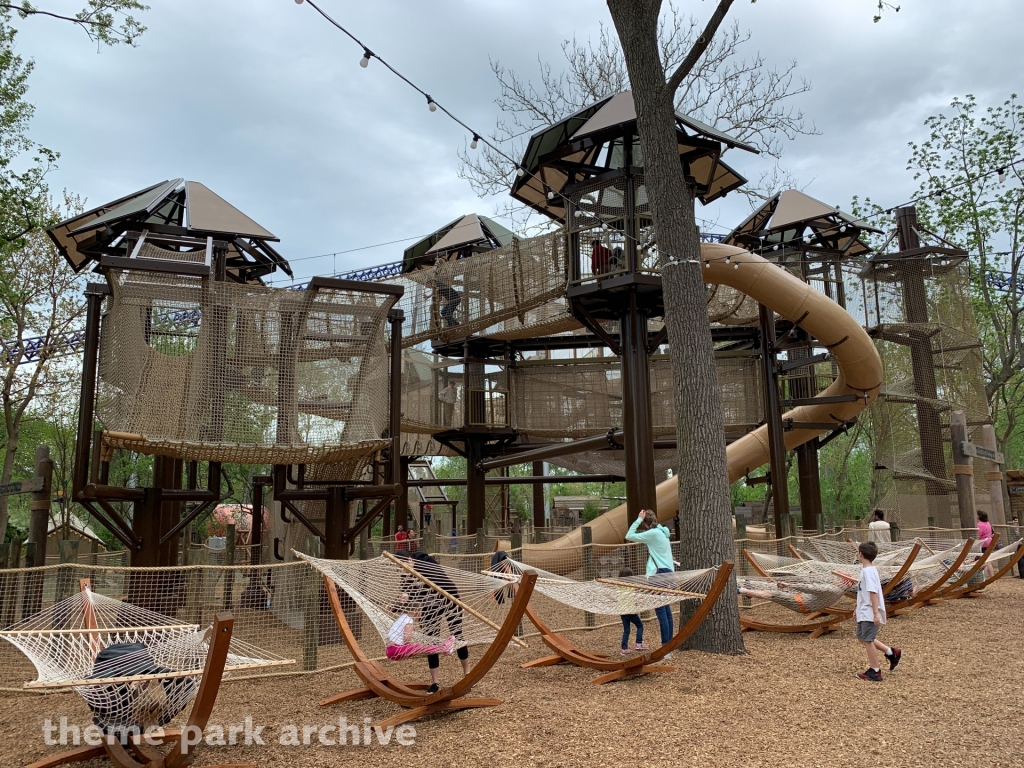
column 860, row 374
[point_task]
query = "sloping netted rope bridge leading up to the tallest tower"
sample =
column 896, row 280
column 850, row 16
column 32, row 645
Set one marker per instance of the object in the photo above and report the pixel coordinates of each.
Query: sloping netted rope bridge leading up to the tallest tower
column 458, row 297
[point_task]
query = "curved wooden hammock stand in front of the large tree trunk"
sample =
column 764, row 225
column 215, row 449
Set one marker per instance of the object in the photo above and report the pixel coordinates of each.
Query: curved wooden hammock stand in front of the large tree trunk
column 567, row 652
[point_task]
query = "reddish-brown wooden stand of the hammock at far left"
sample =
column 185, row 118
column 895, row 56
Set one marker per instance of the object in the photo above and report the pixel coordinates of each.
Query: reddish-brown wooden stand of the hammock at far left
column 180, row 756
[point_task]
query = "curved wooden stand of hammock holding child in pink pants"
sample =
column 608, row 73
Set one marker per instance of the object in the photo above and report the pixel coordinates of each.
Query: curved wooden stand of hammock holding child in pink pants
column 413, row 696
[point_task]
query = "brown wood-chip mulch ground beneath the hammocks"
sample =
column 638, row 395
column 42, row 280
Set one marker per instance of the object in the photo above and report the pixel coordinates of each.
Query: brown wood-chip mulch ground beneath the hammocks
column 789, row 702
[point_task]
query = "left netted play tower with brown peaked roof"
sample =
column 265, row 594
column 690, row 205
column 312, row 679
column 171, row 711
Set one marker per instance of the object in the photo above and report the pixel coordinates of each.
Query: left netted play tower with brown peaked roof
column 189, row 358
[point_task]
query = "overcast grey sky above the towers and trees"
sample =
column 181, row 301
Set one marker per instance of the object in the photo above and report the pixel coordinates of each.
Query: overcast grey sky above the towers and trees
column 265, row 102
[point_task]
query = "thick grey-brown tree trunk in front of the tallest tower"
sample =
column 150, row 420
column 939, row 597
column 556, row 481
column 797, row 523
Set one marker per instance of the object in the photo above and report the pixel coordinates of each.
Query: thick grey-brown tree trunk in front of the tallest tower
column 706, row 524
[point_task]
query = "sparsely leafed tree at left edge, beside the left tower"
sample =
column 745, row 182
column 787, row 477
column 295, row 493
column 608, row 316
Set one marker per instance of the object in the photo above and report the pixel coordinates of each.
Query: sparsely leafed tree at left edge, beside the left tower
column 40, row 298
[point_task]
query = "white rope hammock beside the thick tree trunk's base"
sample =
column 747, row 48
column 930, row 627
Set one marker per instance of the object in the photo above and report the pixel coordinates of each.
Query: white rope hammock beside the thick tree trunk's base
column 615, row 596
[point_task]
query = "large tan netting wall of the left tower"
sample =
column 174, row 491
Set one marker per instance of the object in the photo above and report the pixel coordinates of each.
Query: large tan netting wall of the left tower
column 199, row 370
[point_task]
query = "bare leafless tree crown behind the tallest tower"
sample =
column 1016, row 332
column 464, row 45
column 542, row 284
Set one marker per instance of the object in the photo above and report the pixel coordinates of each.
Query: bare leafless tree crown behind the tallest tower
column 738, row 95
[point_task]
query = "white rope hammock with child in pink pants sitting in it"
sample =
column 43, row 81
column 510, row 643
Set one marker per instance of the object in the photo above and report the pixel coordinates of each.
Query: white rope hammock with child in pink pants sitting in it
column 443, row 603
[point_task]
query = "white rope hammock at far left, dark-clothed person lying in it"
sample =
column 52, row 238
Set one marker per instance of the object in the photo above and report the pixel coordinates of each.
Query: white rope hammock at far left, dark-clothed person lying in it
column 135, row 668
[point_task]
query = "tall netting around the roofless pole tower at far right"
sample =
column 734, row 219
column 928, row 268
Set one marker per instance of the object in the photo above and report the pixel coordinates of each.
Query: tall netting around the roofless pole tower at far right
column 926, row 332
